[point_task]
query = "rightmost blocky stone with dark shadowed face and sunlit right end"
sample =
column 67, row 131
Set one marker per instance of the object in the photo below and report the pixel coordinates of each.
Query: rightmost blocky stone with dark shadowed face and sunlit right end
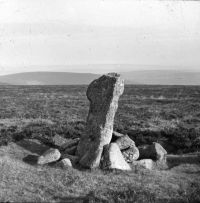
column 154, row 151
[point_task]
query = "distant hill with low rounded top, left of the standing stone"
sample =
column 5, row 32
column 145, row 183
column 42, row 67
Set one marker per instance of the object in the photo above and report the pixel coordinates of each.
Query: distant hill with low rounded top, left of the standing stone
column 48, row 78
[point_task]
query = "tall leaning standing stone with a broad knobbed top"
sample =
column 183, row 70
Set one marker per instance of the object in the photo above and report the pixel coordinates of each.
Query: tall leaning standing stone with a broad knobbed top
column 103, row 95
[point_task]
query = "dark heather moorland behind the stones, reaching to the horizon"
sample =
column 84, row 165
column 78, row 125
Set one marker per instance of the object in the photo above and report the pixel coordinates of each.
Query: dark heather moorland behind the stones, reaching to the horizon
column 165, row 114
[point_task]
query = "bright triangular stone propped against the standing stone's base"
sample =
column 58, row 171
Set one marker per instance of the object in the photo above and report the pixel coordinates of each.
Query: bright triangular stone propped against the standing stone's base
column 113, row 158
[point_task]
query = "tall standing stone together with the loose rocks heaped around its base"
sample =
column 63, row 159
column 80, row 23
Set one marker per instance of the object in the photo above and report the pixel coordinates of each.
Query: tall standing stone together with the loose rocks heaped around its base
column 100, row 146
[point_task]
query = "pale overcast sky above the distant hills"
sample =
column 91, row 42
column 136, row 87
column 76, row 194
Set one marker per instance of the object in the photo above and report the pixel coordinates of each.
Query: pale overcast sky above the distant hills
column 98, row 35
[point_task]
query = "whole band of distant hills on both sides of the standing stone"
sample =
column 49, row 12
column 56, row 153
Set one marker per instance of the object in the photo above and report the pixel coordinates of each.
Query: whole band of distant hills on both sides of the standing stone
column 152, row 77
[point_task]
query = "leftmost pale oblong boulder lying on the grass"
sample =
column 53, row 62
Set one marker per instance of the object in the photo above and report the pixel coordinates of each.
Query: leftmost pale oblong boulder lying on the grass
column 49, row 156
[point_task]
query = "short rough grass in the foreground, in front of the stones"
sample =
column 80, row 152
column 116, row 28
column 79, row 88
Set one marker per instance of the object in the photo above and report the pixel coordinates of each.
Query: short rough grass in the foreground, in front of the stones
column 22, row 180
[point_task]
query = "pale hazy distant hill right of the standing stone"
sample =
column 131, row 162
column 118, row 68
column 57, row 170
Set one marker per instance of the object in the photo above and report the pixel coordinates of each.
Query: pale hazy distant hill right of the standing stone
column 162, row 77
